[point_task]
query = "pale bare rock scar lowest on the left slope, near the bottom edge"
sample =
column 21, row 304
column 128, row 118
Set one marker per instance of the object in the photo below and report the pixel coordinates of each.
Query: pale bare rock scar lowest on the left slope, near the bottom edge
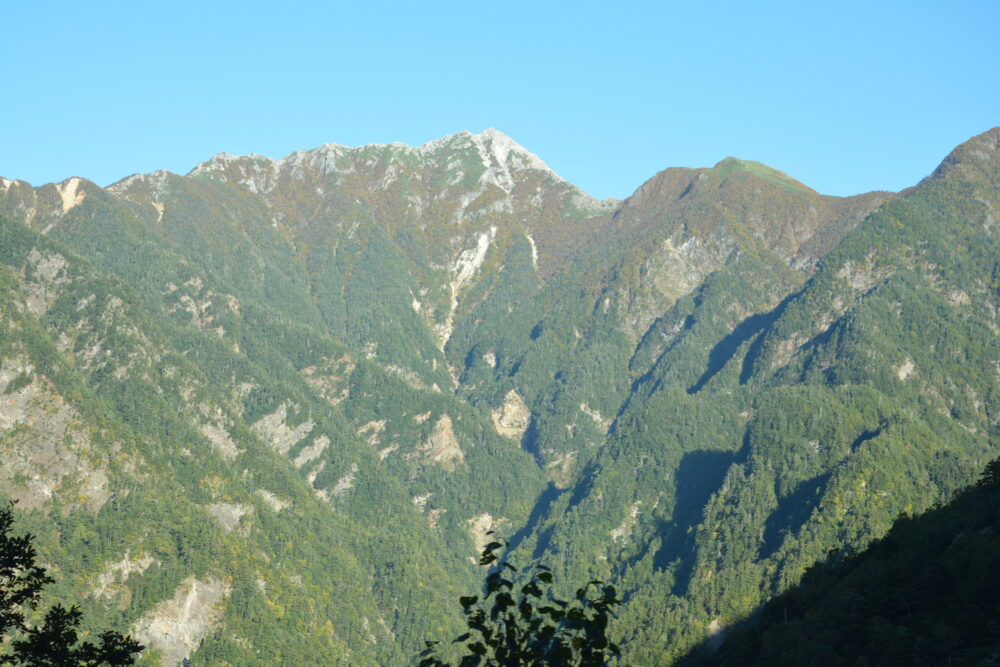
column 176, row 627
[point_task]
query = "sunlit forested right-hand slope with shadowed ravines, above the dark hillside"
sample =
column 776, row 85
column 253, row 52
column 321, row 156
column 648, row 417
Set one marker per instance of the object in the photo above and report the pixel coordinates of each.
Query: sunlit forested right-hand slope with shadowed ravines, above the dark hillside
column 869, row 391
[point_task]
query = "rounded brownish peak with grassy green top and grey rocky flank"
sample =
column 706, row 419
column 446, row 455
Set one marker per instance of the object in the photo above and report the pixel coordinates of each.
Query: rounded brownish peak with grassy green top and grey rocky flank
column 684, row 224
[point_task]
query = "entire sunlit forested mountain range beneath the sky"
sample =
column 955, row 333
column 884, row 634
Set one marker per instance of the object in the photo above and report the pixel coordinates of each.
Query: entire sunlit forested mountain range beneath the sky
column 266, row 412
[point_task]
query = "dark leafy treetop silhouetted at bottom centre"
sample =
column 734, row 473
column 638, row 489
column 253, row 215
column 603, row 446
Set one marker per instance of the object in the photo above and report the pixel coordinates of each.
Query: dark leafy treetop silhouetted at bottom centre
column 519, row 621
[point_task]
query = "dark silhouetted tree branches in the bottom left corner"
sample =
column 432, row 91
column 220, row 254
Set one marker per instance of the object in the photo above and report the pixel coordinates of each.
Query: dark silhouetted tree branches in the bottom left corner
column 53, row 642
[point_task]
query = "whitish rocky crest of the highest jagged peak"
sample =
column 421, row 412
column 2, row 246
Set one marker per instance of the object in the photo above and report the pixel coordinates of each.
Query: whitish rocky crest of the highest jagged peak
column 463, row 176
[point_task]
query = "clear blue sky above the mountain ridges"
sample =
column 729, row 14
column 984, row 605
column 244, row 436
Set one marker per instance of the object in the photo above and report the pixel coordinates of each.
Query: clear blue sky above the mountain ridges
column 844, row 96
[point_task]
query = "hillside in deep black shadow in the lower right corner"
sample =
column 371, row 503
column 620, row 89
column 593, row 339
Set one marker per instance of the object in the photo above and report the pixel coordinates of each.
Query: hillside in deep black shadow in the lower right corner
column 928, row 593
